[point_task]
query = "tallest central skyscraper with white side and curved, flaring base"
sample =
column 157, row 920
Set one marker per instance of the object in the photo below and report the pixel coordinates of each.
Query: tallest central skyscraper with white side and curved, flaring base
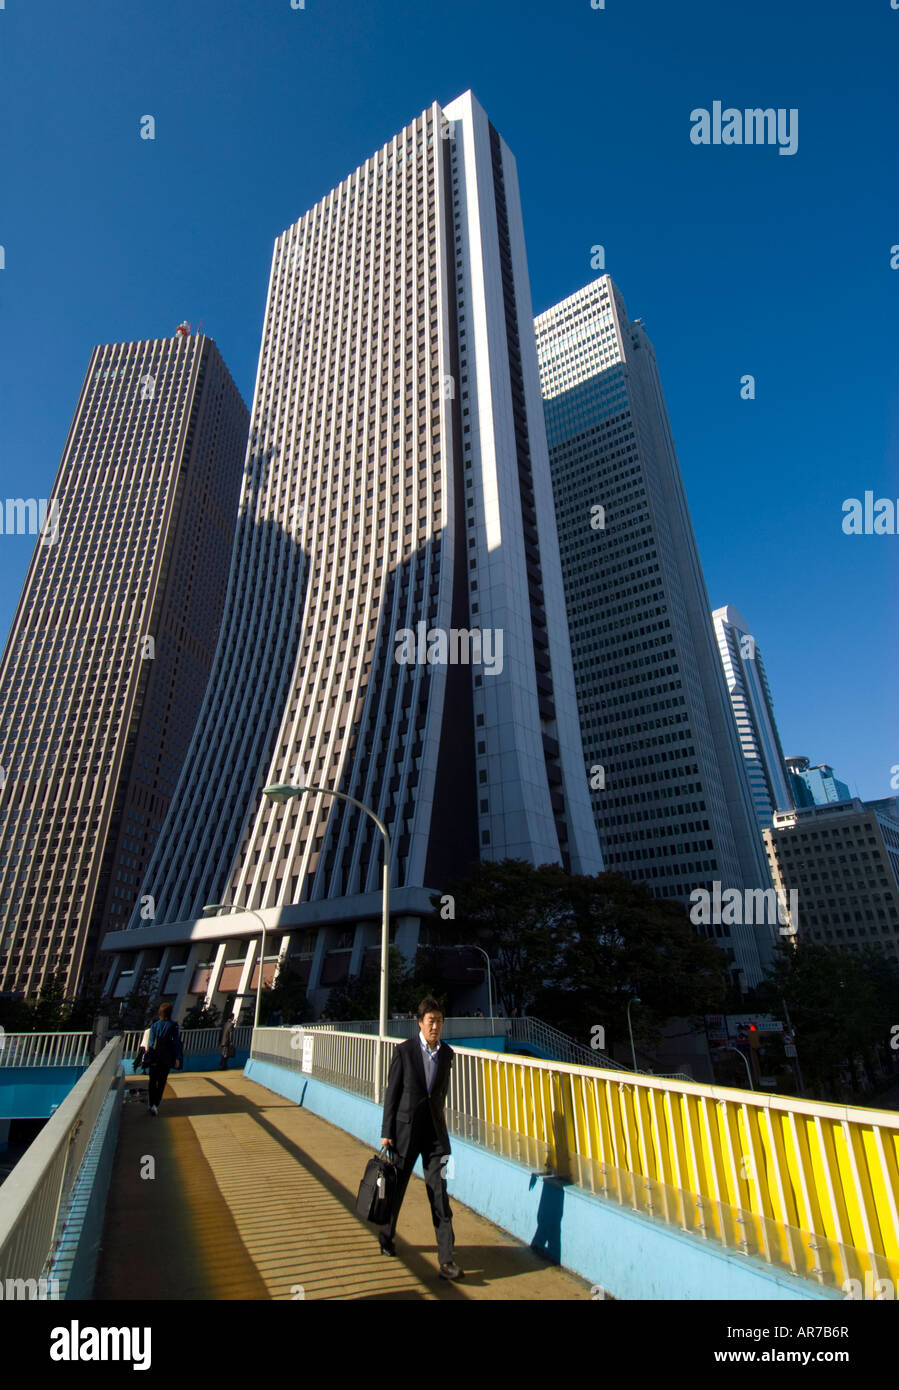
column 395, row 626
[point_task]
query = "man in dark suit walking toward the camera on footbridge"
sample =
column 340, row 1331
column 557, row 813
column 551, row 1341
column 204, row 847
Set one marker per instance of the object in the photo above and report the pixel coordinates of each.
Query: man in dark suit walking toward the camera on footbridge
column 415, row 1125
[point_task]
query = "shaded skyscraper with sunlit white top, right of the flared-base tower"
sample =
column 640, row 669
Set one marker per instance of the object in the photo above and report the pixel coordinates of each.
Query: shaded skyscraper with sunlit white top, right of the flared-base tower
column 670, row 794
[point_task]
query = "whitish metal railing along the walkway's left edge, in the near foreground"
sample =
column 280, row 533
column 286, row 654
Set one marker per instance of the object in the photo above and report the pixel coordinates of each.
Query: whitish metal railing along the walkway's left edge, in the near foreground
column 34, row 1199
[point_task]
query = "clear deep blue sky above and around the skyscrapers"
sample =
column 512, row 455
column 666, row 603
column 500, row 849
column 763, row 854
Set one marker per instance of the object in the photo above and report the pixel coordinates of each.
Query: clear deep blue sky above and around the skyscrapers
column 739, row 259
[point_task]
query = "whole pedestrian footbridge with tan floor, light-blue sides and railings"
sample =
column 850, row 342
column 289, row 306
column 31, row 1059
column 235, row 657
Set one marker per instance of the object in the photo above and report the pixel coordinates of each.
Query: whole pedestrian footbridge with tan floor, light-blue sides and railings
column 568, row 1181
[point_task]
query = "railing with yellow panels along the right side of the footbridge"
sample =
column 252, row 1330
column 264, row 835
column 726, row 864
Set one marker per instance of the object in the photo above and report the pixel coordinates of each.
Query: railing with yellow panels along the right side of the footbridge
column 802, row 1185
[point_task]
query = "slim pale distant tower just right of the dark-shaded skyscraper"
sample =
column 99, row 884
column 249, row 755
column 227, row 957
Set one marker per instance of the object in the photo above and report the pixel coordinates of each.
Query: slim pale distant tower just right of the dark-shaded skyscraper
column 754, row 711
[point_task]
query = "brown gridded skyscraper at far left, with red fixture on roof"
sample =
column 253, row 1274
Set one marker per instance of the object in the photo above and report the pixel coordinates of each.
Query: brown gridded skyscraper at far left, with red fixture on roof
column 112, row 644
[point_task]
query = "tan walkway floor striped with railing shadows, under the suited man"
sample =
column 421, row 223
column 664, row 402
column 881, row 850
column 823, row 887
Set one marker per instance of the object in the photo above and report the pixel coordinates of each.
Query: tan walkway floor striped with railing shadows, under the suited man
column 237, row 1193
